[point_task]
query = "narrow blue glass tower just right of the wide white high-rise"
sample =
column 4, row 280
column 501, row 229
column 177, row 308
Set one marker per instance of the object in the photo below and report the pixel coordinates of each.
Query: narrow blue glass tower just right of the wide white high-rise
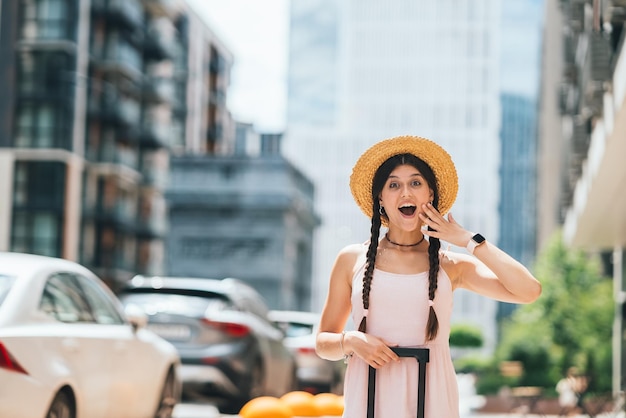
column 520, row 67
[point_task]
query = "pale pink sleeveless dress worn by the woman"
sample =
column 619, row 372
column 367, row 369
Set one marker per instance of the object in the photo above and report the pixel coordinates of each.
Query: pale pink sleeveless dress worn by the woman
column 398, row 312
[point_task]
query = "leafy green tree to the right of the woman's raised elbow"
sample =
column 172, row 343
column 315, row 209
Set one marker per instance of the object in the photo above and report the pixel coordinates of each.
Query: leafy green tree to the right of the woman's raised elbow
column 569, row 325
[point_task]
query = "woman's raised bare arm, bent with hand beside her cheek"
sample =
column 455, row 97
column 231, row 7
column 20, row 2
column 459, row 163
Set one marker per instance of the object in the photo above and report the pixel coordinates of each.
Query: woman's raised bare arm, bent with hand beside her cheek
column 490, row 272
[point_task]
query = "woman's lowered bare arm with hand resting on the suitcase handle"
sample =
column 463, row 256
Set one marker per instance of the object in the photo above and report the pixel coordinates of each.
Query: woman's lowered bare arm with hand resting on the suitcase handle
column 330, row 340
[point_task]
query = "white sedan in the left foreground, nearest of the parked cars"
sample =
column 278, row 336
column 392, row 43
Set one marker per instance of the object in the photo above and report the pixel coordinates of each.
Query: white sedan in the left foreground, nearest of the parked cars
column 68, row 349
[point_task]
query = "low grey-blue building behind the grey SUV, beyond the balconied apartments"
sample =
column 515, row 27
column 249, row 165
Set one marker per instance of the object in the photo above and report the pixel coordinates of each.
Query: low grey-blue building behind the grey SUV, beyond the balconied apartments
column 247, row 215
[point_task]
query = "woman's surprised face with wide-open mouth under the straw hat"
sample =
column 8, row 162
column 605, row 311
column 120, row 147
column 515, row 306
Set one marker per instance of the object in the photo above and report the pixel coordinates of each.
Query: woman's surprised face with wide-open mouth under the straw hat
column 403, row 195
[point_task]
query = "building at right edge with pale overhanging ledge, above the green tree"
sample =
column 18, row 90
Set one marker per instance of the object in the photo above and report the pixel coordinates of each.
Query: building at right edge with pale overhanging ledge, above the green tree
column 587, row 90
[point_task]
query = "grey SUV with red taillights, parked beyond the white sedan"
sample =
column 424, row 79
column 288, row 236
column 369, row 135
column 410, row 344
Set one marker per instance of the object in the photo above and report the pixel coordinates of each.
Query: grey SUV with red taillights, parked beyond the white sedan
column 228, row 346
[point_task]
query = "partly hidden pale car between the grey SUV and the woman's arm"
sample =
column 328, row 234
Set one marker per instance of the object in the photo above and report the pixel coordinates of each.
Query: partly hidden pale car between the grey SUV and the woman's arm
column 315, row 374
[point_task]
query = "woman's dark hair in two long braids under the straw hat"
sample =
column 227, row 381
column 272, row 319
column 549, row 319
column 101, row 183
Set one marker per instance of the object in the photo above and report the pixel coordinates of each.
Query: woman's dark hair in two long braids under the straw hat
column 434, row 245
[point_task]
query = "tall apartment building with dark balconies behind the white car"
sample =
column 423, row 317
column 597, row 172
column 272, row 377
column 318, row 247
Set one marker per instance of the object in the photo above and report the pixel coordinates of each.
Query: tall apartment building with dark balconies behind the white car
column 96, row 96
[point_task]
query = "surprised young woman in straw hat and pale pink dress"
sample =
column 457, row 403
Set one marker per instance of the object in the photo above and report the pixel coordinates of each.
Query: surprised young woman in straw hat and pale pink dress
column 399, row 287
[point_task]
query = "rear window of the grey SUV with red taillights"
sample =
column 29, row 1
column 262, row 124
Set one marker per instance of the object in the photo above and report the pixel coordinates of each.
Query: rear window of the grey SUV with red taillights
column 192, row 304
